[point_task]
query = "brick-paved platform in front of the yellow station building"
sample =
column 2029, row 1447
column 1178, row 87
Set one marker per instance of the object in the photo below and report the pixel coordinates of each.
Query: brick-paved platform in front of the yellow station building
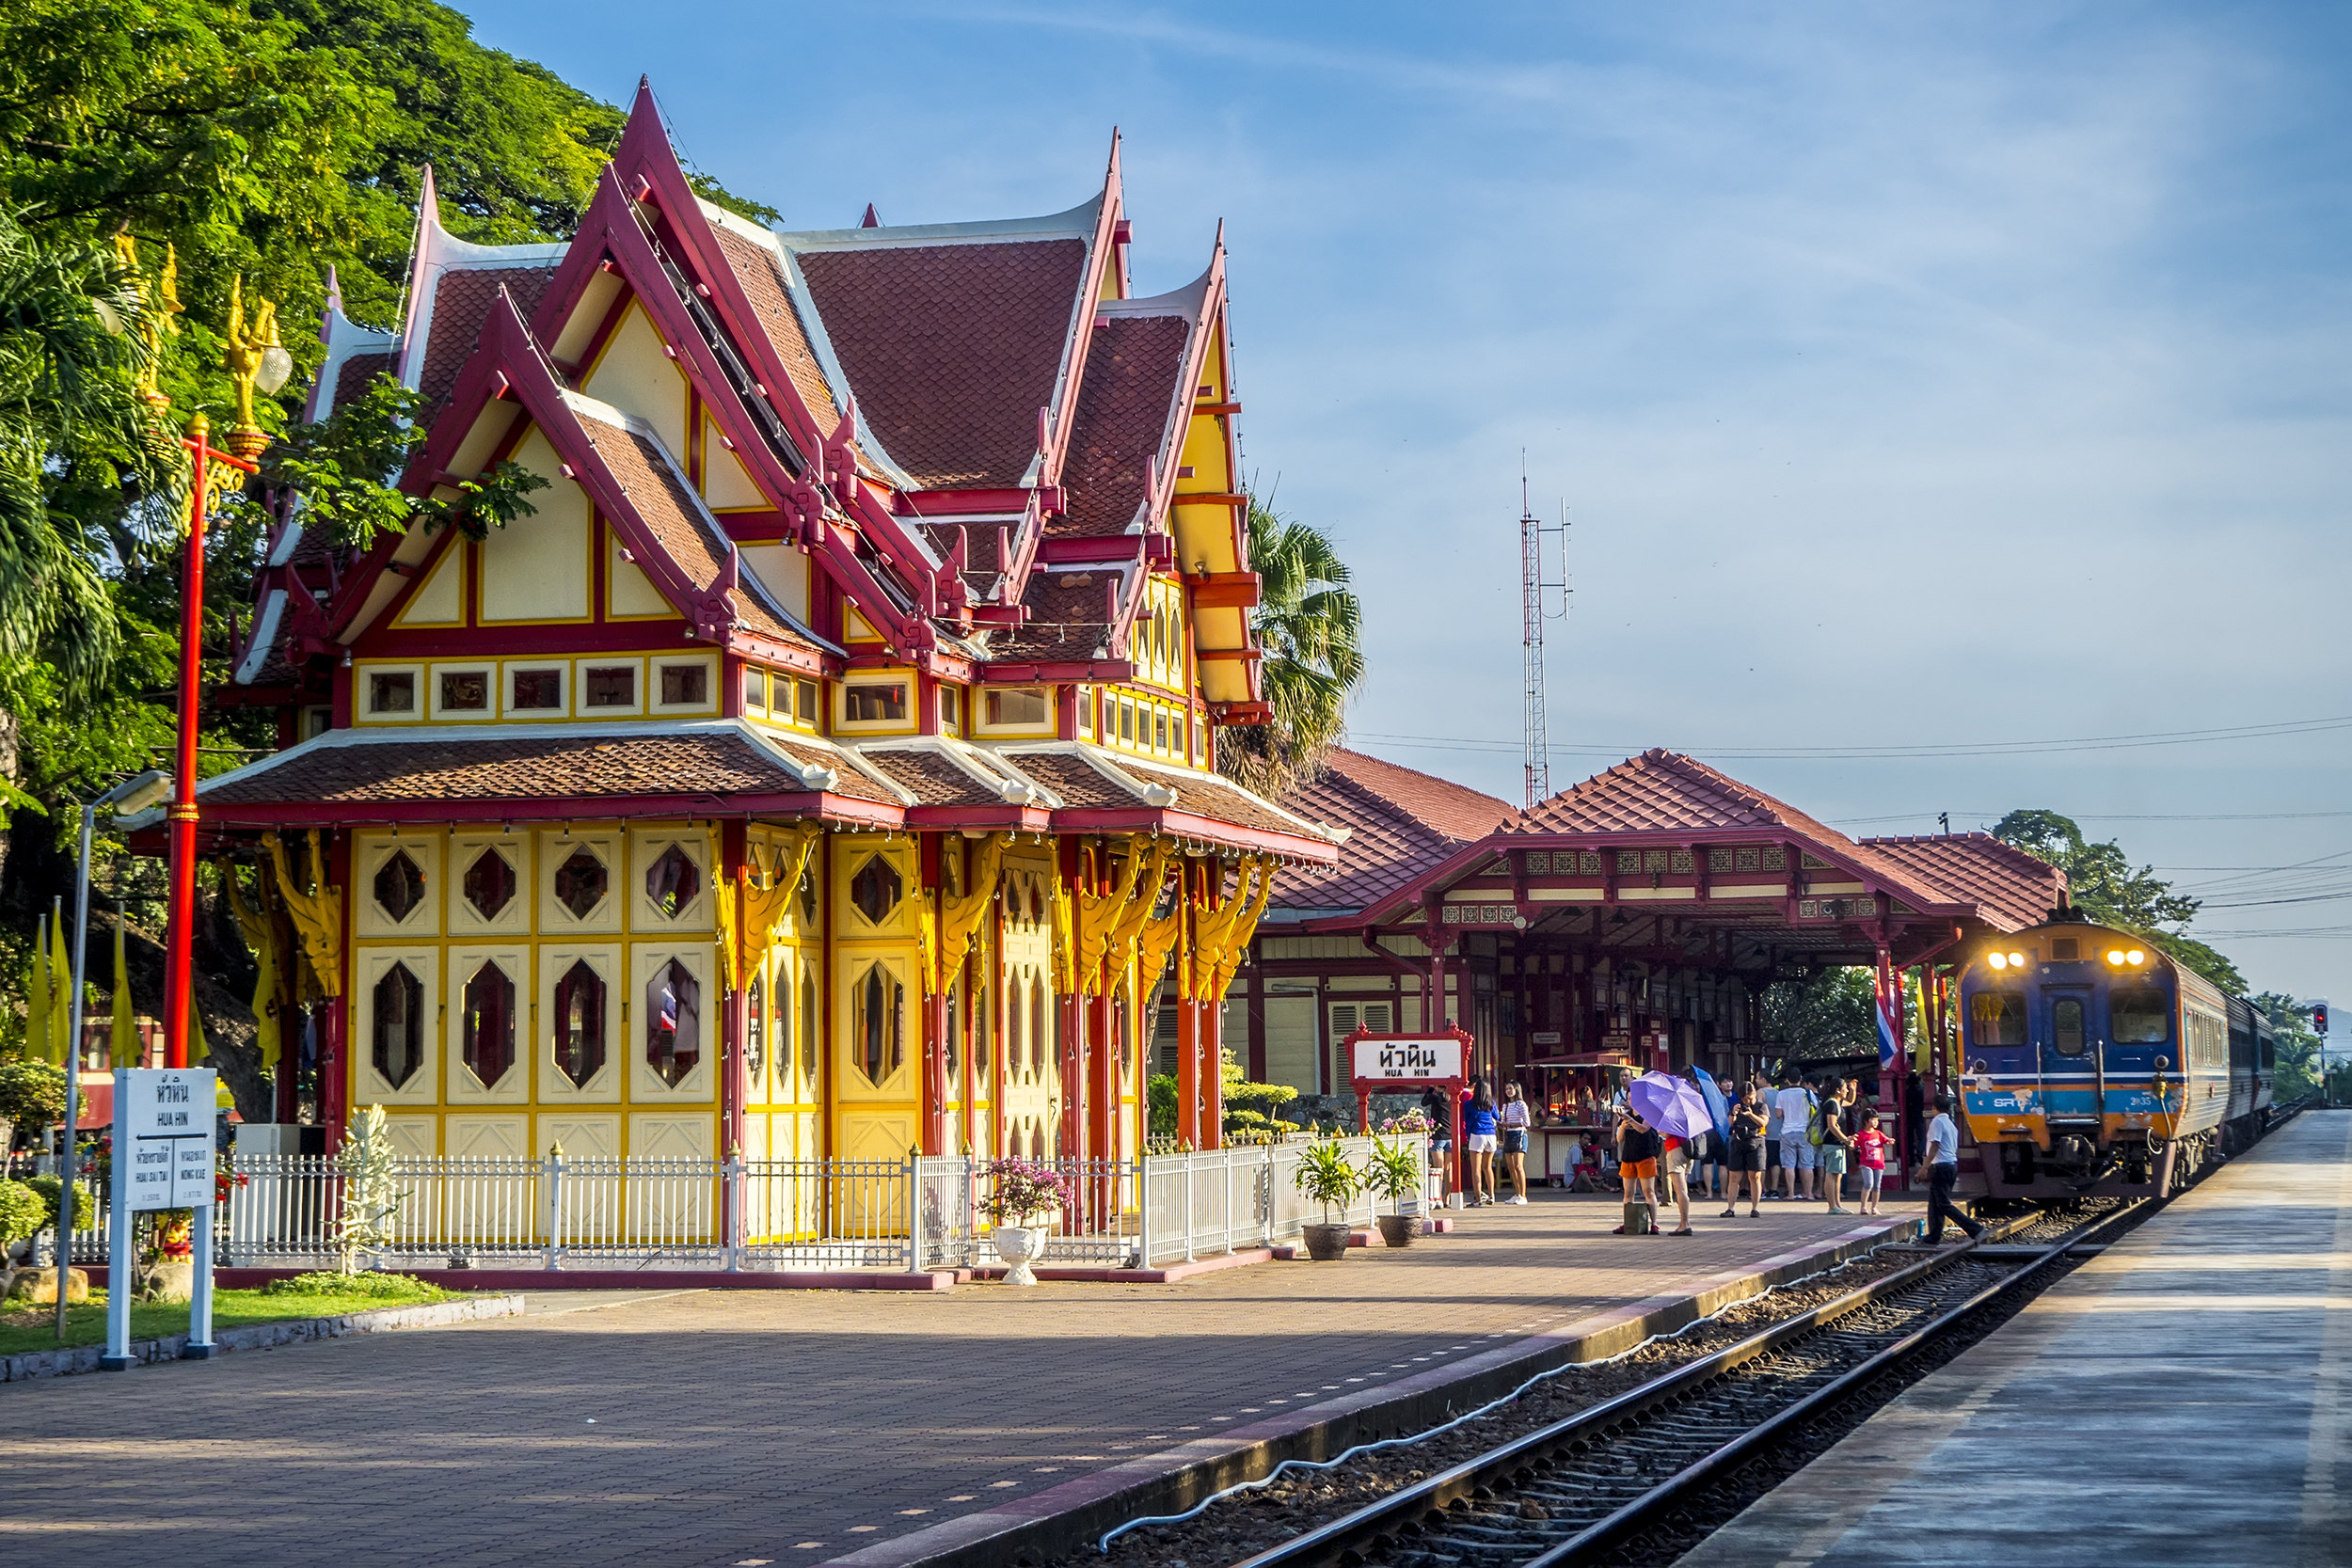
column 791, row 1428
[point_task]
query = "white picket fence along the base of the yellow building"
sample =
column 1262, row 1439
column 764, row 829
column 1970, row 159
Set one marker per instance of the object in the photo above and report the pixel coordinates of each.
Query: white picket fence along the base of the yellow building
column 761, row 1214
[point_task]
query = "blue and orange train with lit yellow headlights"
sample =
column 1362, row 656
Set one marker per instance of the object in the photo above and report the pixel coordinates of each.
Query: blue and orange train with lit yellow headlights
column 2092, row 1064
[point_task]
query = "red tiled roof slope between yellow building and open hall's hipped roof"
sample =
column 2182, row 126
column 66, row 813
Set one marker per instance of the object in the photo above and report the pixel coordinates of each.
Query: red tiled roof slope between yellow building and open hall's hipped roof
column 1401, row 826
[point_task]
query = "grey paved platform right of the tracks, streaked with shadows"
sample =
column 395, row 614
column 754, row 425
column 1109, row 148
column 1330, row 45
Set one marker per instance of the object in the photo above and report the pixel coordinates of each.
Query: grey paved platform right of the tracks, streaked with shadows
column 2184, row 1400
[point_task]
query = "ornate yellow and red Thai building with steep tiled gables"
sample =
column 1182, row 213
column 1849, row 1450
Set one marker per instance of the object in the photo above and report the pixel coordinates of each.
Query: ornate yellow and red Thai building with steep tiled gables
column 824, row 768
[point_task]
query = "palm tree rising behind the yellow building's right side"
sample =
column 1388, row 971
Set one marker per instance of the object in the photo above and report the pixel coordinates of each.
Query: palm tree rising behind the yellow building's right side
column 1309, row 624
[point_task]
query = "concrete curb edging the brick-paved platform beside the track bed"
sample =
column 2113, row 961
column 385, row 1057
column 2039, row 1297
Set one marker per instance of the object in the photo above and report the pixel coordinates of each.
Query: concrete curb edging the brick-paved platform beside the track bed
column 1078, row 1513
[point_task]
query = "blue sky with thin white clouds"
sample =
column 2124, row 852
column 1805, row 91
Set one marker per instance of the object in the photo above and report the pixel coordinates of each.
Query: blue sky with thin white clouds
column 1937, row 394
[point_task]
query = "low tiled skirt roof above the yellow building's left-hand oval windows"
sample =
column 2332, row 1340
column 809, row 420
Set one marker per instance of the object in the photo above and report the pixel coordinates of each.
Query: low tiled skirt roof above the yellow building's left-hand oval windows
column 457, row 768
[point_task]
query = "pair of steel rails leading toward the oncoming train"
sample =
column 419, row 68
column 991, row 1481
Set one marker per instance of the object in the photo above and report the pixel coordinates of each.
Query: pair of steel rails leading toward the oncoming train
column 1401, row 1510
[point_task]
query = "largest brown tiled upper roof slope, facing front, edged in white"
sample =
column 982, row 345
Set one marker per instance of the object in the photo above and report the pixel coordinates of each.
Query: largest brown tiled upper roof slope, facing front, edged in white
column 951, row 349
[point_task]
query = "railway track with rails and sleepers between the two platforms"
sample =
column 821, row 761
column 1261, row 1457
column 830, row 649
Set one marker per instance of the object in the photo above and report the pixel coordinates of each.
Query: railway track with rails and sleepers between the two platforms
column 1664, row 1463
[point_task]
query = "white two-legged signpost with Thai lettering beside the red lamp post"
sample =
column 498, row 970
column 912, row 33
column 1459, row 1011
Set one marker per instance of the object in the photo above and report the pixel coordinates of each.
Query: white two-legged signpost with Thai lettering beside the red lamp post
column 163, row 1160
